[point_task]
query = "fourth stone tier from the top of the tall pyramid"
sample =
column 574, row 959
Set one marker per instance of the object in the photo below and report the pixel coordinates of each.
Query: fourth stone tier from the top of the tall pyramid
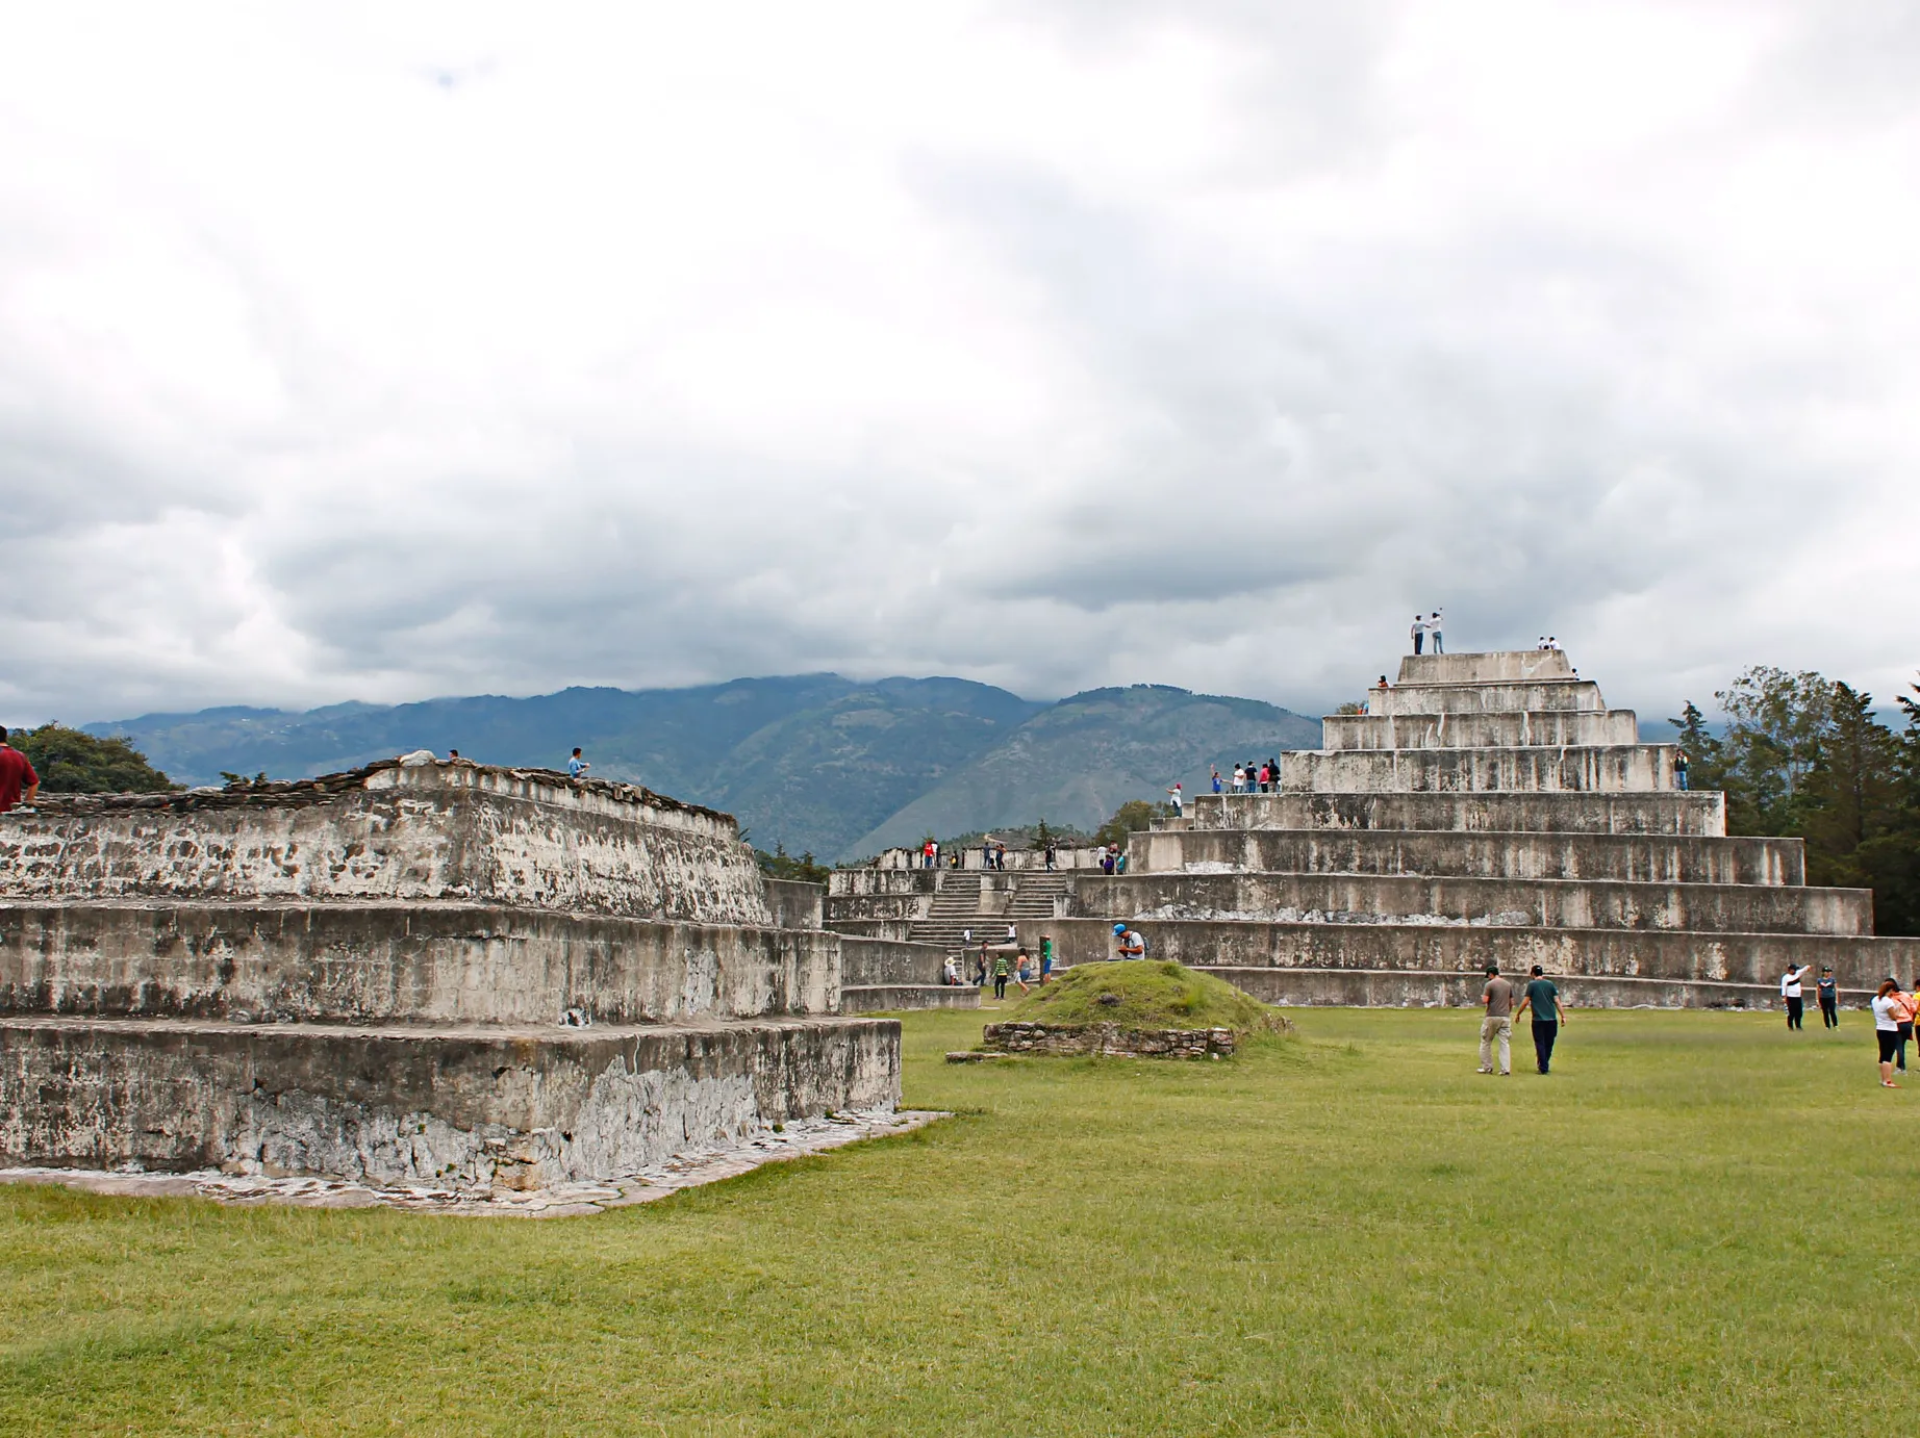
column 1587, row 769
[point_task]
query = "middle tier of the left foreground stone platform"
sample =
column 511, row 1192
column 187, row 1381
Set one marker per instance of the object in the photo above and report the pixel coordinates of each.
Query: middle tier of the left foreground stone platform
column 402, row 965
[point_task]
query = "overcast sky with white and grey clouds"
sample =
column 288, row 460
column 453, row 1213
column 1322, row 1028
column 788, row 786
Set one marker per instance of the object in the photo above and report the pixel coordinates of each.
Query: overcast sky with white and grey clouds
column 414, row 350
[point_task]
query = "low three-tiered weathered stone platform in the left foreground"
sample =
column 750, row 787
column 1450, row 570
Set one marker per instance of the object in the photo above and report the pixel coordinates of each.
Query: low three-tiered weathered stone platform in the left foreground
column 431, row 974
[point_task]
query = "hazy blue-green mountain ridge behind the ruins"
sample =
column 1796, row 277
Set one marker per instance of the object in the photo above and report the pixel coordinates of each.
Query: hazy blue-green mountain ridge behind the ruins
column 809, row 761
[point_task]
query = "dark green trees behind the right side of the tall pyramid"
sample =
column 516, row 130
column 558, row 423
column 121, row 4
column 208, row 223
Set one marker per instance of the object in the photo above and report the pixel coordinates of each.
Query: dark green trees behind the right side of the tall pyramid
column 1806, row 757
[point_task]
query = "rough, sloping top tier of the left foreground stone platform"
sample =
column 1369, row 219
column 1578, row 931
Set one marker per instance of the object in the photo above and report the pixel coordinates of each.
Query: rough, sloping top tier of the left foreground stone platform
column 418, row 834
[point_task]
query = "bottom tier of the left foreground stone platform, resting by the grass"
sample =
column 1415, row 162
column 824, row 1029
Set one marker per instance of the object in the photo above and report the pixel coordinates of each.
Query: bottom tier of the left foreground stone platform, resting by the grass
column 464, row 1109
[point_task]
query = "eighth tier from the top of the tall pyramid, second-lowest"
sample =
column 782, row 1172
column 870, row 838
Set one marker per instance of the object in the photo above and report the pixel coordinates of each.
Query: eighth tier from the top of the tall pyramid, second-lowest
column 1468, row 949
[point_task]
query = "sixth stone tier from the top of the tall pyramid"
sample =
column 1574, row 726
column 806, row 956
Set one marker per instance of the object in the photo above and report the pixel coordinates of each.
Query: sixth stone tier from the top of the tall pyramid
column 1476, row 855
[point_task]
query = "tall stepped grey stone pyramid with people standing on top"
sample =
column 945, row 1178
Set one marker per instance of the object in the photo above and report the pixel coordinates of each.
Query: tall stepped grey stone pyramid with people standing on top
column 1487, row 809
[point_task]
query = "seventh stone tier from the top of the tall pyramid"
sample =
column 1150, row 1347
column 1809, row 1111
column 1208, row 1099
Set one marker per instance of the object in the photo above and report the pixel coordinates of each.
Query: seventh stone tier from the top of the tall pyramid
column 1700, row 909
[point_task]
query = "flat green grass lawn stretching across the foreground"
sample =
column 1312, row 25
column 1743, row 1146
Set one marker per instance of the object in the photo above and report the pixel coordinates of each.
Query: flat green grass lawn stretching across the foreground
column 1698, row 1224
